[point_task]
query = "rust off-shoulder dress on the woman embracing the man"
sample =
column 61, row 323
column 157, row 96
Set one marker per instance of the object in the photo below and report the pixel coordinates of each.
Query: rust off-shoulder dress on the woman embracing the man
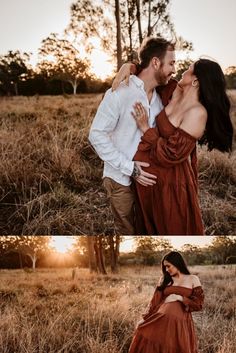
column 170, row 206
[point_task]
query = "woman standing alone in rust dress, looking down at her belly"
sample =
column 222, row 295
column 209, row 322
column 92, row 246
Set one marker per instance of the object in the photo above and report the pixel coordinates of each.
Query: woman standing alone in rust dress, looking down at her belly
column 168, row 326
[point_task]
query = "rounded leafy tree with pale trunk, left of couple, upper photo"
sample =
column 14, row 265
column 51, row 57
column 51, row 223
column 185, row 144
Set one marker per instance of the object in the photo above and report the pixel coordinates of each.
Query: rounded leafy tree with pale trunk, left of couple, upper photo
column 64, row 62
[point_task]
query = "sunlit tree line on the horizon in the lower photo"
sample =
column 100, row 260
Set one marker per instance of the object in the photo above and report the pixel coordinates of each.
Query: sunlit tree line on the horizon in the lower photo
column 101, row 252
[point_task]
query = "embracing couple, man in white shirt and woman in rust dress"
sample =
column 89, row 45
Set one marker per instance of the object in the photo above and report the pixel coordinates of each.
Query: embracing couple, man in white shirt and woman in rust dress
column 146, row 133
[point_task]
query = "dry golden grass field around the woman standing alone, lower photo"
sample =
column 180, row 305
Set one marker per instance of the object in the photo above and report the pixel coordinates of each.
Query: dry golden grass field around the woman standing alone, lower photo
column 49, row 312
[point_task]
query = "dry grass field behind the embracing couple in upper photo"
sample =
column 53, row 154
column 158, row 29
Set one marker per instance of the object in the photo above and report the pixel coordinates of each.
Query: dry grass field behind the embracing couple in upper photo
column 50, row 178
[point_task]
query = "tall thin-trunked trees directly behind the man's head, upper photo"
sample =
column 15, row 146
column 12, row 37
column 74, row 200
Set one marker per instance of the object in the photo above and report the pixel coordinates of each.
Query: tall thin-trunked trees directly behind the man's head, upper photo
column 135, row 20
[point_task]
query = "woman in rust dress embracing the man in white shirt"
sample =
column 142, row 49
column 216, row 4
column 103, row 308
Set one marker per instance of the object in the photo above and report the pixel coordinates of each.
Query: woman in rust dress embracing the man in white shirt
column 198, row 111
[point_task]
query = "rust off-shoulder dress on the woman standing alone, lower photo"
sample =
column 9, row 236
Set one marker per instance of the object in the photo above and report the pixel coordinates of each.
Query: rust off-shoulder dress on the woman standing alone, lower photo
column 168, row 327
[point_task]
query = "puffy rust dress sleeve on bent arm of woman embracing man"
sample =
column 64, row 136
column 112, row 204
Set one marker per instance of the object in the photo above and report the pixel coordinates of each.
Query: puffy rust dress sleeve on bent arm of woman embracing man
column 167, row 152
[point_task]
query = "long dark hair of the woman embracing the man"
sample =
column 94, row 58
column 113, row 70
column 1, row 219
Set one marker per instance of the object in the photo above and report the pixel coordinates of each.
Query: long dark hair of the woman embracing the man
column 219, row 128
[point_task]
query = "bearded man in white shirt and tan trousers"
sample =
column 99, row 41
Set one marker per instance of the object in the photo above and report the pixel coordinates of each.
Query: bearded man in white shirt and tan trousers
column 114, row 133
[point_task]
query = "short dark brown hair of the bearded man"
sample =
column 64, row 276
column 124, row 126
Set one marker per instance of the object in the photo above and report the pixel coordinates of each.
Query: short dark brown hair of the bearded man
column 154, row 47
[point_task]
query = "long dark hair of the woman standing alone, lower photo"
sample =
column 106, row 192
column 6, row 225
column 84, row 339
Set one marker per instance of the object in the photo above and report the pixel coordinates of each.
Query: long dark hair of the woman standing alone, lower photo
column 176, row 259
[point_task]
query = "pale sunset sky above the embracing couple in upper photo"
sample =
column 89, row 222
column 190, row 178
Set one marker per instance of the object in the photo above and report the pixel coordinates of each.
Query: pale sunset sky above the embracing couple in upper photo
column 209, row 24
